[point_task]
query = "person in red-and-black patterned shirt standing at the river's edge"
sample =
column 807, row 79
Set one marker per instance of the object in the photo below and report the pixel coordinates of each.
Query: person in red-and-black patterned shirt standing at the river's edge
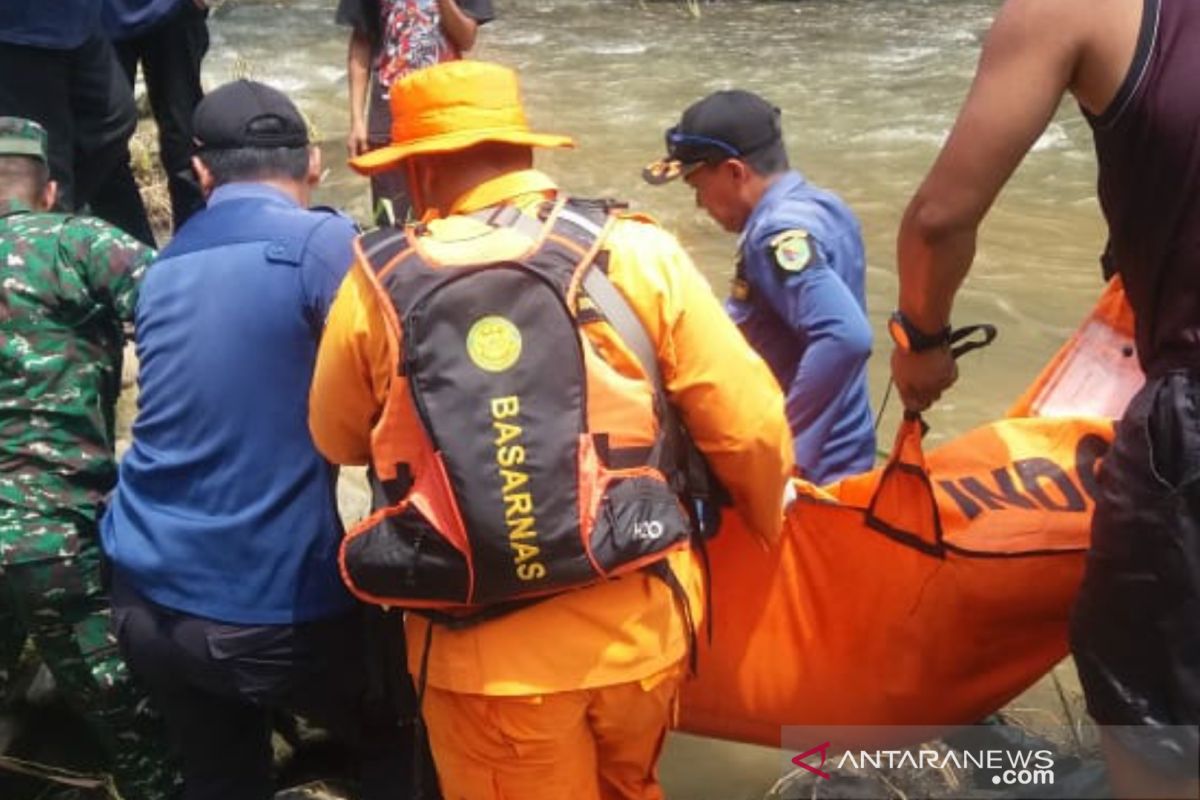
column 389, row 39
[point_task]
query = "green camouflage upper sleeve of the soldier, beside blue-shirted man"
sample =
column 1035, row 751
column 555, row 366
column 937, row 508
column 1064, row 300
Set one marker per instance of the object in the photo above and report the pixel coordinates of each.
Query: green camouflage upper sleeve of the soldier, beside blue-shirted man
column 111, row 261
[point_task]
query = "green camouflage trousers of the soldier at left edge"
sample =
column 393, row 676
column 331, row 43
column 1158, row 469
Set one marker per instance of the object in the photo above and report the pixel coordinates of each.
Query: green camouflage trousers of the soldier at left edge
column 61, row 606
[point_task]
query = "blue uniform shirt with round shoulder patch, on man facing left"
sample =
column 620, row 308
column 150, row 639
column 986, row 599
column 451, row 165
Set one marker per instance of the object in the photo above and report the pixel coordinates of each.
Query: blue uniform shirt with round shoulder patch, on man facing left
column 800, row 302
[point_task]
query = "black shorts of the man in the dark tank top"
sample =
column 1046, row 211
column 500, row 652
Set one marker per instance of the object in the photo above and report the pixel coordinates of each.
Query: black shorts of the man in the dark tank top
column 1136, row 628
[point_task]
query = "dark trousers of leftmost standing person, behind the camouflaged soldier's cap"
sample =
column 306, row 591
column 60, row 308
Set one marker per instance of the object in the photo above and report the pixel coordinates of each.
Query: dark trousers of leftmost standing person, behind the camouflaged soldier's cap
column 85, row 103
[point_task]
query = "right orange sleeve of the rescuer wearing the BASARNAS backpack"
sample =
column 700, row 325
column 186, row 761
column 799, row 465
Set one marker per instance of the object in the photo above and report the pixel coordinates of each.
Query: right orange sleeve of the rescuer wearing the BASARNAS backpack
column 725, row 393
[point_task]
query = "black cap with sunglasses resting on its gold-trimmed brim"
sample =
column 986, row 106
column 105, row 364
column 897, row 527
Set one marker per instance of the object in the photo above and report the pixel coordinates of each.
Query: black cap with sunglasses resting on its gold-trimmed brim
column 729, row 124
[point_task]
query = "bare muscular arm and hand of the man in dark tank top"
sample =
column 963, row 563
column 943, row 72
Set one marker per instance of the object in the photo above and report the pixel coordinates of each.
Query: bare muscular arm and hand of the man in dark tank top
column 1029, row 61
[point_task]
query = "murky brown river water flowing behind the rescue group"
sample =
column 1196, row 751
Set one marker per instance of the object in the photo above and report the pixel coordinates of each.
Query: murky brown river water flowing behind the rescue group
column 869, row 89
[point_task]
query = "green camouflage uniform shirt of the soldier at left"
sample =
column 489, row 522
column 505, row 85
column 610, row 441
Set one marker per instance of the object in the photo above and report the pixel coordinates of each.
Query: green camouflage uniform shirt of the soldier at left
column 68, row 290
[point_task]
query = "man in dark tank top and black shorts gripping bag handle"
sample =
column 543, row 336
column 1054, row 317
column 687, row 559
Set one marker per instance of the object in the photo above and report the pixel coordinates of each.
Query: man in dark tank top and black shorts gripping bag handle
column 1132, row 67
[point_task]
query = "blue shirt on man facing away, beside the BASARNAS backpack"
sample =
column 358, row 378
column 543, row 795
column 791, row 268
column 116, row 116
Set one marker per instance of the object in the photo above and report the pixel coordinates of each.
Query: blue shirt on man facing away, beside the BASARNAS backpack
column 224, row 508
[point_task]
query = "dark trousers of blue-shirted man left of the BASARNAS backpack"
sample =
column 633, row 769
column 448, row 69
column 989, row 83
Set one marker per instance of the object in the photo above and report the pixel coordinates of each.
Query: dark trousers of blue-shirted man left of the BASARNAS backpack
column 218, row 687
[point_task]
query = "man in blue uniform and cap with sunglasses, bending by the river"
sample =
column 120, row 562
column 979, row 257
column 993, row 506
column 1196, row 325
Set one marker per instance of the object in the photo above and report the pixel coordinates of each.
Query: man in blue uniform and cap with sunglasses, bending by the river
column 799, row 292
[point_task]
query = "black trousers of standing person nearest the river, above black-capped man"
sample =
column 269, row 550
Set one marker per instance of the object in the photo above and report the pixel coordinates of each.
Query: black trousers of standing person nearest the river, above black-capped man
column 171, row 56
